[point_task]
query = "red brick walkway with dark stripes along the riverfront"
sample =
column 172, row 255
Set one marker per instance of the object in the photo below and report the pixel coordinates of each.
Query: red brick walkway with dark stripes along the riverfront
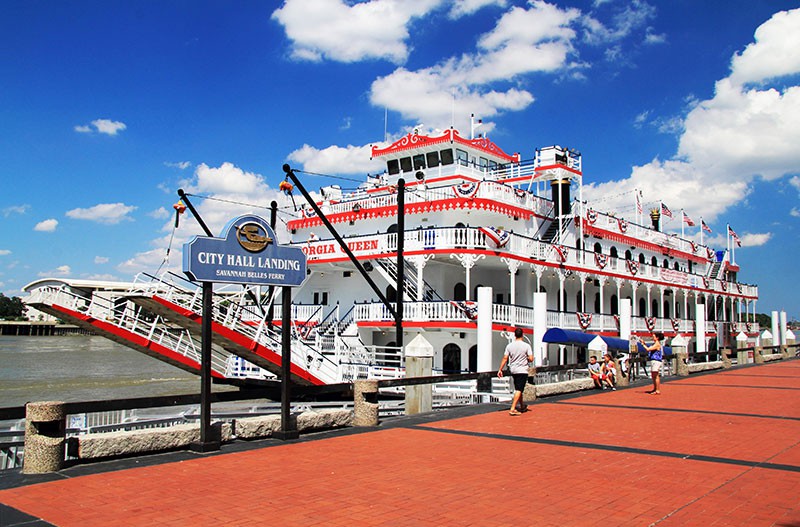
column 712, row 450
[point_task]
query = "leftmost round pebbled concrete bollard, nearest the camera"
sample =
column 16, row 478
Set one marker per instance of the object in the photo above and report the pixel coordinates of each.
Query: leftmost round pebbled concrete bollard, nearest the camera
column 45, row 437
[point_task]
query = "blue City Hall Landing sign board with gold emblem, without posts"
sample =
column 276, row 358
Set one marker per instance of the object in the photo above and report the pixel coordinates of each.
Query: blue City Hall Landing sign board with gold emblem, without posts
column 245, row 253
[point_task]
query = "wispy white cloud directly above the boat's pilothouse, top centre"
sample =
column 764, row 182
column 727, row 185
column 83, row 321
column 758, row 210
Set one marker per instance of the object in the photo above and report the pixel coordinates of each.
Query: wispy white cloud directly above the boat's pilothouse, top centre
column 536, row 39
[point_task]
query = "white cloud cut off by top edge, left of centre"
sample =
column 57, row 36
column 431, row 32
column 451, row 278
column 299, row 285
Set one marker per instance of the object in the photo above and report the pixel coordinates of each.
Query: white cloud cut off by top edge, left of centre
column 346, row 32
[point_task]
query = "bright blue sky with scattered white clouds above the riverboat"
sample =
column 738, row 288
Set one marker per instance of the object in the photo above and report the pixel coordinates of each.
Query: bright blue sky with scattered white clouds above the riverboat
column 108, row 108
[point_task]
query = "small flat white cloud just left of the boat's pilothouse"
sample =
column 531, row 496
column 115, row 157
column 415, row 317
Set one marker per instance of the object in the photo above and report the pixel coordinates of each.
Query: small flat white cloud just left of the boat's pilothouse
column 336, row 160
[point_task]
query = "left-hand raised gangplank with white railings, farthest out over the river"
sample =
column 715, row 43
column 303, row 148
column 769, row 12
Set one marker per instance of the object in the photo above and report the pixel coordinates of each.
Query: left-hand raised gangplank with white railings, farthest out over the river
column 117, row 320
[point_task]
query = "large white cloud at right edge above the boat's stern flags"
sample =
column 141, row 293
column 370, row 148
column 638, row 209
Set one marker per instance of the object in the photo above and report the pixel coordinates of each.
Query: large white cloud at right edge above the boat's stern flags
column 727, row 141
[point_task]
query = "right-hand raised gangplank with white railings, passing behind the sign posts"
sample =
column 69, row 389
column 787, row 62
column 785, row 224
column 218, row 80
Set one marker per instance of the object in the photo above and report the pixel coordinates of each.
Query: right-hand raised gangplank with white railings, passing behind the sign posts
column 238, row 326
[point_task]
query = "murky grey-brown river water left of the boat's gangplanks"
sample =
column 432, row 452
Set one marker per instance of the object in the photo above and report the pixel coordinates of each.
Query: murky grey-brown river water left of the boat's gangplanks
column 83, row 368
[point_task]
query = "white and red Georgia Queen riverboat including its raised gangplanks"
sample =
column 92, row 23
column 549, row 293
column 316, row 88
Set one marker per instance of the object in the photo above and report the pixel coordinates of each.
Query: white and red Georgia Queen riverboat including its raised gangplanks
column 467, row 242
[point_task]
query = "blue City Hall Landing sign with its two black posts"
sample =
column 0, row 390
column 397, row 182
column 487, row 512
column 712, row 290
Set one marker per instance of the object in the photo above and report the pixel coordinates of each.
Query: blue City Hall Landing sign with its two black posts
column 246, row 254
